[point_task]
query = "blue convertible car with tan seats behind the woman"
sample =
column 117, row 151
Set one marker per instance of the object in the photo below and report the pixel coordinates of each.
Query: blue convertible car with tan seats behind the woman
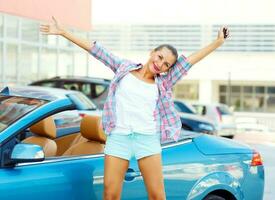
column 37, row 161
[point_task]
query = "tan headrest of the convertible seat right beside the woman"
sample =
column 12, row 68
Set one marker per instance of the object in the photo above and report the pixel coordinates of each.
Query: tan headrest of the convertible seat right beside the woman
column 91, row 128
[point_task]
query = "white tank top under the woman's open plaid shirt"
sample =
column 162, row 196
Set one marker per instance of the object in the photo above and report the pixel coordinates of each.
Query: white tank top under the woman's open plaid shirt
column 135, row 104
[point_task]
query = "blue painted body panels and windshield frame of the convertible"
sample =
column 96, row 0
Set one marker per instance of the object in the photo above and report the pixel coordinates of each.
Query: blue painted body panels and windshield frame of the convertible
column 192, row 168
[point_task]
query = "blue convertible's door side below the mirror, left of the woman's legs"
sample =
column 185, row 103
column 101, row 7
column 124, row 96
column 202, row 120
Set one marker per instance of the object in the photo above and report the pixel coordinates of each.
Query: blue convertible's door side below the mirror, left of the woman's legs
column 55, row 178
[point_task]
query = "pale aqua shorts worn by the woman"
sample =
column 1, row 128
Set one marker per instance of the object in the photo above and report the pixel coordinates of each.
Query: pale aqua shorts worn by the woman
column 133, row 145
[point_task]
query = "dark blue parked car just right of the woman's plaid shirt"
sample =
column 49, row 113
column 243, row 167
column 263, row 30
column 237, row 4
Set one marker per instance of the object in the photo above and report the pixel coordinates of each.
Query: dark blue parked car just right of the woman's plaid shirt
column 192, row 121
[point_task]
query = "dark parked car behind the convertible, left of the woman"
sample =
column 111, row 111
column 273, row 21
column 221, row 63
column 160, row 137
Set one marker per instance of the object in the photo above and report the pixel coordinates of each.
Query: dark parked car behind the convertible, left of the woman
column 94, row 88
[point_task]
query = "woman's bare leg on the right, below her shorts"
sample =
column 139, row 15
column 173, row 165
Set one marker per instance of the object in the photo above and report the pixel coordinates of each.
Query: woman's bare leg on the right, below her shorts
column 151, row 170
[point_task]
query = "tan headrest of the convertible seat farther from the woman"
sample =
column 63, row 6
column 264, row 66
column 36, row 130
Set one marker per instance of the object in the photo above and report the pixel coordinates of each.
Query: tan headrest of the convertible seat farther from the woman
column 45, row 128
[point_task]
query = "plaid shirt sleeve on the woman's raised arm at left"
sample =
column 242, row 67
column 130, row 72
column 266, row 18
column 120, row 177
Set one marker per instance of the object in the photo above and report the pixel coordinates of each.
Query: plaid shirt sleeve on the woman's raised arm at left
column 106, row 57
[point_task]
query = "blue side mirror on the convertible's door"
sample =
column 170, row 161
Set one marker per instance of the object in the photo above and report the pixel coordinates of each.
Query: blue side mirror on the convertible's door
column 27, row 153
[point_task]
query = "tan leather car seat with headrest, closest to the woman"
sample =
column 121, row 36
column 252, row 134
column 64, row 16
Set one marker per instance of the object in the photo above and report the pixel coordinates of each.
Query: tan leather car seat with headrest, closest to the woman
column 93, row 137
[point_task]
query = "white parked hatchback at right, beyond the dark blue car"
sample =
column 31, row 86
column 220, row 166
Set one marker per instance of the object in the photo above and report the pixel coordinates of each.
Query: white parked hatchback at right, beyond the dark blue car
column 220, row 115
